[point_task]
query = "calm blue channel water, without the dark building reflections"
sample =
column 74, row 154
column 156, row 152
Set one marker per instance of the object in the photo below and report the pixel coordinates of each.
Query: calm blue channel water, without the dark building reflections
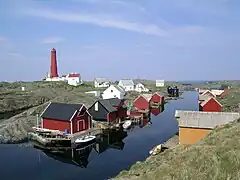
column 32, row 164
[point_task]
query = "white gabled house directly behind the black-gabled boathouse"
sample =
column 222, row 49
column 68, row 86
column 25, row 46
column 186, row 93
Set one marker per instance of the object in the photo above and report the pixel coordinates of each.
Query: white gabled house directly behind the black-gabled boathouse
column 113, row 91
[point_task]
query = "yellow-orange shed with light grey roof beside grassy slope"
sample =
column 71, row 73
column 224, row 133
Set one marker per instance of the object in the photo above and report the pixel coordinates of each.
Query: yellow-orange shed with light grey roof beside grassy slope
column 195, row 125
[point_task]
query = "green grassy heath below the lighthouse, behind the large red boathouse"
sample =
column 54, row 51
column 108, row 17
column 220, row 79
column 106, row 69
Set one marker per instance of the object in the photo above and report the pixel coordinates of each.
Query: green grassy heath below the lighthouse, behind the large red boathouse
column 37, row 93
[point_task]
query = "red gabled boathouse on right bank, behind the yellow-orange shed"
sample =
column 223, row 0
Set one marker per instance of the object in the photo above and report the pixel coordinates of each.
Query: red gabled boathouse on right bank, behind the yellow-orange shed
column 210, row 105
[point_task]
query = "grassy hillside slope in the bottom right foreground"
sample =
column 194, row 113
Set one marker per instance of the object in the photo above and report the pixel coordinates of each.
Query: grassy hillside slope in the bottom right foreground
column 216, row 157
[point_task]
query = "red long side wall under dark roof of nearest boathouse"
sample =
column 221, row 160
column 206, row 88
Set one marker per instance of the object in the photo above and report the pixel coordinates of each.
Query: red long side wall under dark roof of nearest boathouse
column 54, row 124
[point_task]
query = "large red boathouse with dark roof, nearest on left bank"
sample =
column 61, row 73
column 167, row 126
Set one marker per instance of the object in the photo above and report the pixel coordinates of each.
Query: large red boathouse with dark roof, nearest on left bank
column 69, row 118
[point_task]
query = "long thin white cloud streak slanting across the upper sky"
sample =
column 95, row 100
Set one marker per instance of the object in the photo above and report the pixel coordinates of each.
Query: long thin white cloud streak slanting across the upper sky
column 100, row 20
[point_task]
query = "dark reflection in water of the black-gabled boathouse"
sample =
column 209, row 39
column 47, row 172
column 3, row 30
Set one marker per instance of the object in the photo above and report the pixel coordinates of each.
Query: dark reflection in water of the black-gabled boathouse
column 113, row 139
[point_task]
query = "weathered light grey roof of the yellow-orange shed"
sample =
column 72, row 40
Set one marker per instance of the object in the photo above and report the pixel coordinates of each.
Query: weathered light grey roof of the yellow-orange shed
column 208, row 120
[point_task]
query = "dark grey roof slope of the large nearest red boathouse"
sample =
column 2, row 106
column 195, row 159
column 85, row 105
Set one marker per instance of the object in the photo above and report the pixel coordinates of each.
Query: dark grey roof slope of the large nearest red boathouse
column 61, row 111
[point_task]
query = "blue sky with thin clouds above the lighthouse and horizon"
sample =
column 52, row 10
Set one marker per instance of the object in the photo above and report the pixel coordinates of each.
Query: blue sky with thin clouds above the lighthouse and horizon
column 154, row 39
